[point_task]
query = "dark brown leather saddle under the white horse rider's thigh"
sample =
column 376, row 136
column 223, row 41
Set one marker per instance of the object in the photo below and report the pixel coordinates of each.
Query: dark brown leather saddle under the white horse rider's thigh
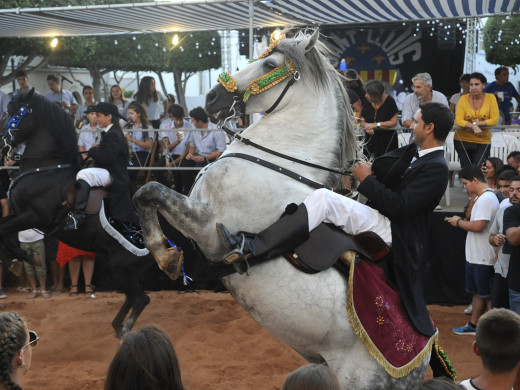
column 327, row 244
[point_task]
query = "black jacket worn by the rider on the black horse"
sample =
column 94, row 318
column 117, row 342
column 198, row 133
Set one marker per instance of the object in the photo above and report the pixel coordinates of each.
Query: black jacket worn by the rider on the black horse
column 112, row 154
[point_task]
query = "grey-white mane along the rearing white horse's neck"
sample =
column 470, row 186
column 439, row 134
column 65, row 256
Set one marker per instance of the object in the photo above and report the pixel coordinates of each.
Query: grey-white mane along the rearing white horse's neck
column 318, row 73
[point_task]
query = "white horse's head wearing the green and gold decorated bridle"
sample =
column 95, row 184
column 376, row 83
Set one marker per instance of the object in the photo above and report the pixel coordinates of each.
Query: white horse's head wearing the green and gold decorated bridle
column 265, row 80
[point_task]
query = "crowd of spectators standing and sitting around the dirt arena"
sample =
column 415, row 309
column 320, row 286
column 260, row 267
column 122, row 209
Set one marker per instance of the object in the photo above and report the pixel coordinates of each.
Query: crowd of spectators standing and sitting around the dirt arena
column 158, row 133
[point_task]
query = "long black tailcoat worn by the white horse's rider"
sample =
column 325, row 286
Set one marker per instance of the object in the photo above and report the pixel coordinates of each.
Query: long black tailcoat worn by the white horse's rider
column 408, row 205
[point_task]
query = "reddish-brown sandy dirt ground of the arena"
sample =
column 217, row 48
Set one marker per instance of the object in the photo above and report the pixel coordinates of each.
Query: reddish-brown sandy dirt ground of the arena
column 219, row 346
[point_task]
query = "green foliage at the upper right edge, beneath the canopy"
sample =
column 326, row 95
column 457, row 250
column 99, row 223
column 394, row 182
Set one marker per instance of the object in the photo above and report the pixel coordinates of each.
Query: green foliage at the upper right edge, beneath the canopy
column 501, row 40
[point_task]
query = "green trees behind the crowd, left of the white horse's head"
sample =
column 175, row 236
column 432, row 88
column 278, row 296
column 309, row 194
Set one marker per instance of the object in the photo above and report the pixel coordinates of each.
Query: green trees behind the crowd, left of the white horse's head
column 196, row 51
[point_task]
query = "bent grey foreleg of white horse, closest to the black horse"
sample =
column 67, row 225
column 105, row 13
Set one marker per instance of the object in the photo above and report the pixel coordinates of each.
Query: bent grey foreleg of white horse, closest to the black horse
column 192, row 218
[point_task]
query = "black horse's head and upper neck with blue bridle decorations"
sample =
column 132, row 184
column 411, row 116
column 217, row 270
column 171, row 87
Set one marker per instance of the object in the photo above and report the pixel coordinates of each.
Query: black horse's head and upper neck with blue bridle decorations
column 32, row 115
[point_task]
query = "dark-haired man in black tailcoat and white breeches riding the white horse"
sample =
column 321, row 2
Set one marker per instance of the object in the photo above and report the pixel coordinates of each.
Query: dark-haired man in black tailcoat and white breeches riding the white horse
column 399, row 205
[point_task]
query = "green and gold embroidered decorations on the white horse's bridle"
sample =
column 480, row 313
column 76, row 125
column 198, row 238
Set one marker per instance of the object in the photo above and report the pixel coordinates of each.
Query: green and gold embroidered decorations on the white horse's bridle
column 262, row 83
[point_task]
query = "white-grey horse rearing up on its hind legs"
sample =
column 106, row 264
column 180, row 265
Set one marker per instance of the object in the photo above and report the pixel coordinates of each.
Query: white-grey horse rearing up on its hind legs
column 312, row 122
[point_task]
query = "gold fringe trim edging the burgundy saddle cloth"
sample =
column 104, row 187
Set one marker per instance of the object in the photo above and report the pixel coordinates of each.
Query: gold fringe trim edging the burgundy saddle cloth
column 396, row 372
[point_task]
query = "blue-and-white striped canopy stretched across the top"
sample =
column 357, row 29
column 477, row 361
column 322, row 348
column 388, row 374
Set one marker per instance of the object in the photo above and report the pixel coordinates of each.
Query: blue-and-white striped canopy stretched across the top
column 197, row 15
